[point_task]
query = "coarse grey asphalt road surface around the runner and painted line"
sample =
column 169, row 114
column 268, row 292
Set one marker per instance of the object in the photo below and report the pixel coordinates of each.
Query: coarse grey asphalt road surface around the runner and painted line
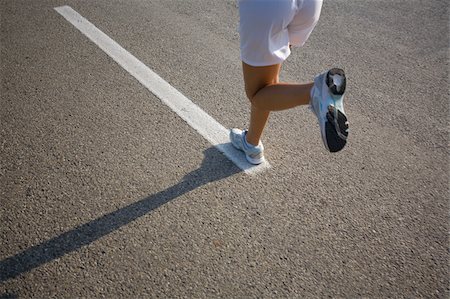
column 106, row 192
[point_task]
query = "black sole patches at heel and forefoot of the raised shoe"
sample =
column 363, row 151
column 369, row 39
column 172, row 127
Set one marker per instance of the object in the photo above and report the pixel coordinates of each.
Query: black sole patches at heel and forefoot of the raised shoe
column 336, row 126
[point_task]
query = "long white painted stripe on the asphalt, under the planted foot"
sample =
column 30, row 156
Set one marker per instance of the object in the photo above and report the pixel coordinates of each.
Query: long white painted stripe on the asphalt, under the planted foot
column 198, row 119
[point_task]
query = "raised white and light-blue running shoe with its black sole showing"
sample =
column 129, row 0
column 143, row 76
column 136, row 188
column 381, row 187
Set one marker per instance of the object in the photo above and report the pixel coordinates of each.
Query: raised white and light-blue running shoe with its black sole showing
column 327, row 104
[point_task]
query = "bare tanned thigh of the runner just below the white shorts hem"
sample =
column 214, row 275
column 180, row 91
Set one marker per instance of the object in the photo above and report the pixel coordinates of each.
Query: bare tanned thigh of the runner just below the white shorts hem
column 257, row 77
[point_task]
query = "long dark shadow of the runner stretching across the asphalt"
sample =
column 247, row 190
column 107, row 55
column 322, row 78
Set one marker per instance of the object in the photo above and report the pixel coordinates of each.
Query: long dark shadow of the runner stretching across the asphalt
column 214, row 167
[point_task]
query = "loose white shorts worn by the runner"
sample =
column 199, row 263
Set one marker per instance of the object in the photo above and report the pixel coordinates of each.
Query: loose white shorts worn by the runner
column 268, row 27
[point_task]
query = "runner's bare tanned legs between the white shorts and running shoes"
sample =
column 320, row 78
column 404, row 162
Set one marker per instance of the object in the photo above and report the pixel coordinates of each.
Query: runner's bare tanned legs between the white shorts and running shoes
column 266, row 94
